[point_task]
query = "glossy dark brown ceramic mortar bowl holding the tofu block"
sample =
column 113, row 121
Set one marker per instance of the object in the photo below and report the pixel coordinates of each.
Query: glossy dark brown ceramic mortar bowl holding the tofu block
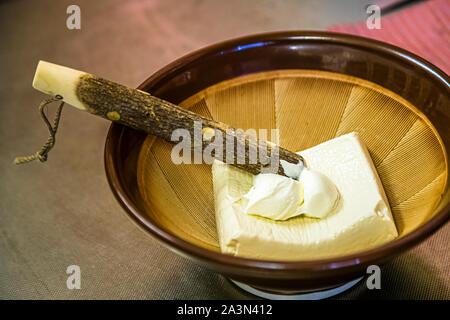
column 417, row 86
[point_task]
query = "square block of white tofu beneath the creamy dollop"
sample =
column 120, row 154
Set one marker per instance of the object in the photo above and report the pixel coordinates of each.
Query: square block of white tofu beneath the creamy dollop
column 361, row 220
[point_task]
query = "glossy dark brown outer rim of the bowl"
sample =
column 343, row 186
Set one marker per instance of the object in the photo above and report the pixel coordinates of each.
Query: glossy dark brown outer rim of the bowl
column 367, row 257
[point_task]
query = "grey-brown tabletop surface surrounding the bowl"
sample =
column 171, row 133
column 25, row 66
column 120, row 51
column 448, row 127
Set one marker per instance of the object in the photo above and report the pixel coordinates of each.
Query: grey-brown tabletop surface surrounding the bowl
column 63, row 213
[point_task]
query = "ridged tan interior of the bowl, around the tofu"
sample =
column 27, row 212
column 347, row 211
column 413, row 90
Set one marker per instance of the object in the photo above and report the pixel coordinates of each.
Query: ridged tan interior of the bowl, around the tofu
column 308, row 107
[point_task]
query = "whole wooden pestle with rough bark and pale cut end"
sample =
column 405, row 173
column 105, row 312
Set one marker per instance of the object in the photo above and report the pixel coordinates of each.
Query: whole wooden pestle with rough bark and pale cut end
column 142, row 111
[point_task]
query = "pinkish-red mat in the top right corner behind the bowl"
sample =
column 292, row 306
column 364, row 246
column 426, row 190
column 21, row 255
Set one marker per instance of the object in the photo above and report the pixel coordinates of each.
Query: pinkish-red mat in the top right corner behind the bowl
column 422, row 29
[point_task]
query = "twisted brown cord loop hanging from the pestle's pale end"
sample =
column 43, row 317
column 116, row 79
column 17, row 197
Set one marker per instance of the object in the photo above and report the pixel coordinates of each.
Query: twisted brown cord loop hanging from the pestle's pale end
column 42, row 154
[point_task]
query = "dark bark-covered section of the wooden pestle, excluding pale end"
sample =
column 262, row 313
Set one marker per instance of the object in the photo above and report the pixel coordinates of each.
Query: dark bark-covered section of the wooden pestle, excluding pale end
column 157, row 117
